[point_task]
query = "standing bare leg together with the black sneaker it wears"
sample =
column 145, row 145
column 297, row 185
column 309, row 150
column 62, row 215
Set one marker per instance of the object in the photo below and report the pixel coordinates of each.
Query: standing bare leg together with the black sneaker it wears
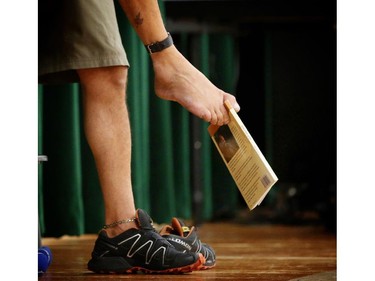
column 107, row 130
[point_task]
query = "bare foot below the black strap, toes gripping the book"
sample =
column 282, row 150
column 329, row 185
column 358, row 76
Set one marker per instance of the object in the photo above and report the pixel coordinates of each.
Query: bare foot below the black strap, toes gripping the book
column 176, row 79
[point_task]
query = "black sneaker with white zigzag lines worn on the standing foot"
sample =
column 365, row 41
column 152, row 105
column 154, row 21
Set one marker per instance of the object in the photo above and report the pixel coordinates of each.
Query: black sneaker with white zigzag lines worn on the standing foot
column 140, row 250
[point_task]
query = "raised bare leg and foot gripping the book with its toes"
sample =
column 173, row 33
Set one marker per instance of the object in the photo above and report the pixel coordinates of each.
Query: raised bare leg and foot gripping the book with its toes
column 176, row 79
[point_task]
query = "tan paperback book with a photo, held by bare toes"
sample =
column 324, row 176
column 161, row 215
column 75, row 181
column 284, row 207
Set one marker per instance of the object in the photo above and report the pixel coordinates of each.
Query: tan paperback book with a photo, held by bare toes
column 247, row 165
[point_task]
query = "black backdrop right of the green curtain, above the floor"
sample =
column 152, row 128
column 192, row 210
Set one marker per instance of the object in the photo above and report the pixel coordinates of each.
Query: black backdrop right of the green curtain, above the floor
column 286, row 87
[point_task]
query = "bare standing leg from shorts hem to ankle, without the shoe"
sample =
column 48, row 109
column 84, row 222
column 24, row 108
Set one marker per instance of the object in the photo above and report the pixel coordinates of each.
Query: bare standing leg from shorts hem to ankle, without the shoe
column 107, row 129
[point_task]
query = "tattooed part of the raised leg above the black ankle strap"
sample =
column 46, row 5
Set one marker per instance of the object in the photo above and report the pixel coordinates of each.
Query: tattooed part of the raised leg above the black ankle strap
column 146, row 19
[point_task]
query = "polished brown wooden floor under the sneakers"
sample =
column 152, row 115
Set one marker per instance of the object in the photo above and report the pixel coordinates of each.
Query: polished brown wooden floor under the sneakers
column 244, row 252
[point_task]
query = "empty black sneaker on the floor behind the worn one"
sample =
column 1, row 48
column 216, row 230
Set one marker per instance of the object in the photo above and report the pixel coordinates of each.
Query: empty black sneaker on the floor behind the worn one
column 186, row 240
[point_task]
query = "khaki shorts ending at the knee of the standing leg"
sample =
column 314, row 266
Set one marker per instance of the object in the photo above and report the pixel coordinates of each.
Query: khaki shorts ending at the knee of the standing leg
column 76, row 34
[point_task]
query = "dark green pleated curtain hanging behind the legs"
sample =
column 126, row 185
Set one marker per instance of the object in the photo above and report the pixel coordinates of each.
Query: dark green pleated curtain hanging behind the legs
column 70, row 199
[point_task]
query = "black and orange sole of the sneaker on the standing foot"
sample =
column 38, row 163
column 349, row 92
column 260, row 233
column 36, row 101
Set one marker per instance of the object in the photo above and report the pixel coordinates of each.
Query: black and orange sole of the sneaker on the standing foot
column 119, row 265
